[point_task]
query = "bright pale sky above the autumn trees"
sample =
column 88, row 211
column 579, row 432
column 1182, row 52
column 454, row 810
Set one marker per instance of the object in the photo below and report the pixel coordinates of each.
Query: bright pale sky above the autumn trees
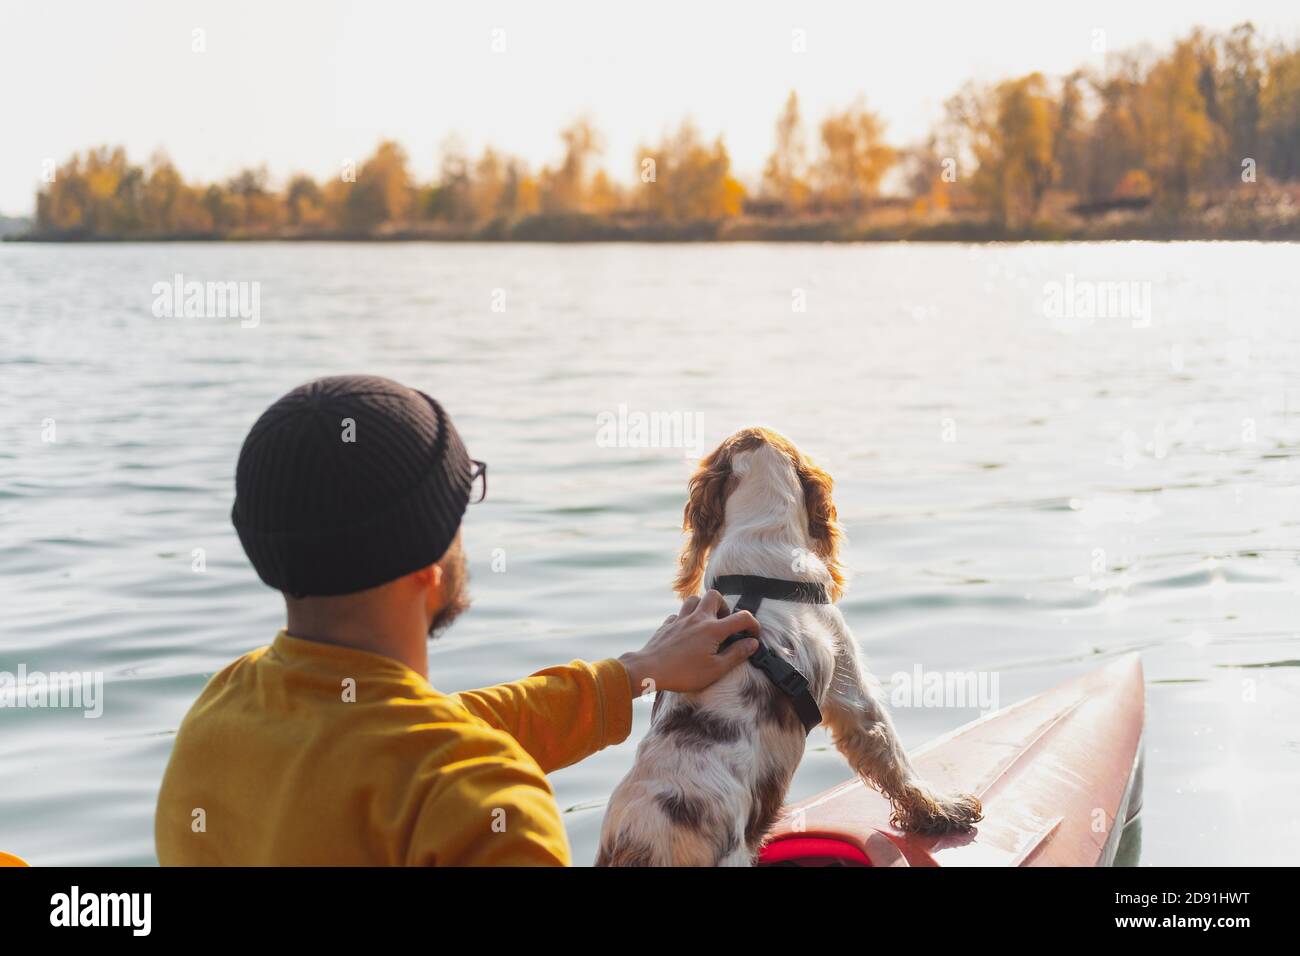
column 304, row 86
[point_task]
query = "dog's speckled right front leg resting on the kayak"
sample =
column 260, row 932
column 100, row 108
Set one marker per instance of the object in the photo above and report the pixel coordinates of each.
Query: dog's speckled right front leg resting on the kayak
column 866, row 737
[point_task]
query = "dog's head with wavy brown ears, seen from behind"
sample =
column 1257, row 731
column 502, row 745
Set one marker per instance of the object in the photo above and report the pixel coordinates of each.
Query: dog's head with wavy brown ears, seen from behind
column 762, row 477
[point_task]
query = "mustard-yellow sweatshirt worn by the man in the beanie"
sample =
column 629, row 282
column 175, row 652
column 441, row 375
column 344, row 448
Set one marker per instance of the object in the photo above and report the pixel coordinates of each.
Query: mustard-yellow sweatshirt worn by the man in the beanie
column 307, row 754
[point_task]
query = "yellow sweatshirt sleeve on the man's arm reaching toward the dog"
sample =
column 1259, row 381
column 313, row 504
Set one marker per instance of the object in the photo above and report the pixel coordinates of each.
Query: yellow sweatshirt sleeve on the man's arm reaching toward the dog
column 561, row 715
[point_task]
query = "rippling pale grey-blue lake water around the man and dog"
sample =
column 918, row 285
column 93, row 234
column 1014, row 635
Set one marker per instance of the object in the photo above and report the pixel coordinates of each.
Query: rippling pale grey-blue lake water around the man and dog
column 1028, row 492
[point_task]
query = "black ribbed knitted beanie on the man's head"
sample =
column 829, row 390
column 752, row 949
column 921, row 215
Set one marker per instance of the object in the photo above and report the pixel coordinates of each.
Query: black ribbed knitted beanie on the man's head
column 348, row 483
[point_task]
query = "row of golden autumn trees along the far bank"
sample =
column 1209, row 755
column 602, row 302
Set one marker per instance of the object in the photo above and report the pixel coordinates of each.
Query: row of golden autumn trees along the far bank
column 1201, row 141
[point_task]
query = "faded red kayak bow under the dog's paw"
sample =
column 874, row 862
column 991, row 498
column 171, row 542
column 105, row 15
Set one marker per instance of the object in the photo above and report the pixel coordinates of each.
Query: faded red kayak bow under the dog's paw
column 1060, row 777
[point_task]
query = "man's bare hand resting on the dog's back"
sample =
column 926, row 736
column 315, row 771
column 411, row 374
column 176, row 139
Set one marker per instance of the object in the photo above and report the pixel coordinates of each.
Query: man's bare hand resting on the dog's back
column 683, row 655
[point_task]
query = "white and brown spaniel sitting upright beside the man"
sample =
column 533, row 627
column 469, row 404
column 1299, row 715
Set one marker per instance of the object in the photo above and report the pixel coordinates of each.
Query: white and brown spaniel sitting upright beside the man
column 712, row 775
